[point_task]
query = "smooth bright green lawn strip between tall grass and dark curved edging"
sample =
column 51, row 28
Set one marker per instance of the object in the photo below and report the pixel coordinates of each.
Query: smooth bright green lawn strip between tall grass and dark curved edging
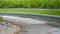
column 50, row 12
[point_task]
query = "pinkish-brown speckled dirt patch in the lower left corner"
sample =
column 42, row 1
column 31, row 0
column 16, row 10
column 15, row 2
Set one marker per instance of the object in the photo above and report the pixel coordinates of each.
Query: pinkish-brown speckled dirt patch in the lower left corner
column 7, row 28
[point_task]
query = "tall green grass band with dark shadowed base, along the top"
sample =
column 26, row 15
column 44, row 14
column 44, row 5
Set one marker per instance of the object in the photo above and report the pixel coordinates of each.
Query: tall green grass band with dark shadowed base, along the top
column 30, row 4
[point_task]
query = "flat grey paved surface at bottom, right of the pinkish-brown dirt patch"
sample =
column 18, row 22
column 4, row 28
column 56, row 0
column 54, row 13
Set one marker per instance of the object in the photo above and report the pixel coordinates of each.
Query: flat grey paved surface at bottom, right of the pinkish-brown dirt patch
column 41, row 29
